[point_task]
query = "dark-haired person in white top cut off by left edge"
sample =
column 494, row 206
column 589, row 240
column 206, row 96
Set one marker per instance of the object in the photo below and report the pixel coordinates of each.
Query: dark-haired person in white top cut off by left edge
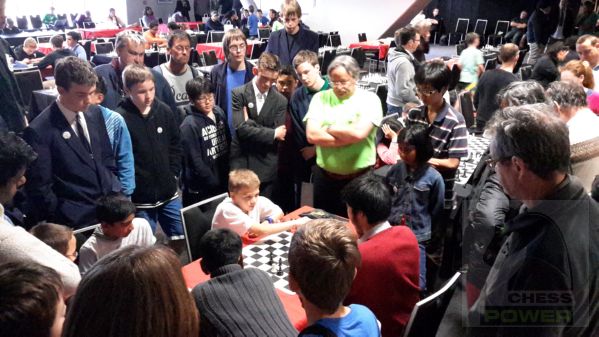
column 15, row 242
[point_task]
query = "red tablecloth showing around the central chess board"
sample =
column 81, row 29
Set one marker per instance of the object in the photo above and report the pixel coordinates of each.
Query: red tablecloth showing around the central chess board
column 193, row 275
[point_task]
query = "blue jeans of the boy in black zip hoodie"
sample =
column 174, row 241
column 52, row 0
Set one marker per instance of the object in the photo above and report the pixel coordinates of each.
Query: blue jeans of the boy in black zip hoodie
column 168, row 216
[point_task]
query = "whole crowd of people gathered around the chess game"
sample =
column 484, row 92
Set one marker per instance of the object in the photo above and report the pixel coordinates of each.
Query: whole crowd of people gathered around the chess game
column 124, row 148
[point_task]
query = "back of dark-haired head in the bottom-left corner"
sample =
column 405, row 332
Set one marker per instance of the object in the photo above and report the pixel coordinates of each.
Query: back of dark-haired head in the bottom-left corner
column 33, row 300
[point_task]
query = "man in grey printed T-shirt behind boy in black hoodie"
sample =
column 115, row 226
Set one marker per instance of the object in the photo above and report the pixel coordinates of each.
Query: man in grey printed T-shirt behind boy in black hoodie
column 177, row 72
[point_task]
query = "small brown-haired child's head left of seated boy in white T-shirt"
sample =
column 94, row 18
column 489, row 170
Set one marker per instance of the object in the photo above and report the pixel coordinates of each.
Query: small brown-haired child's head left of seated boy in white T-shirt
column 59, row 237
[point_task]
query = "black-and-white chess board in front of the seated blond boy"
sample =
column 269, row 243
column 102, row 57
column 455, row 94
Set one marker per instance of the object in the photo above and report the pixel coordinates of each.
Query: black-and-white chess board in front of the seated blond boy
column 258, row 255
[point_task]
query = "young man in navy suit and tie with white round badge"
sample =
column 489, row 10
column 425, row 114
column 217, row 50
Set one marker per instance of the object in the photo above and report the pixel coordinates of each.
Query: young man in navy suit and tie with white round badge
column 75, row 164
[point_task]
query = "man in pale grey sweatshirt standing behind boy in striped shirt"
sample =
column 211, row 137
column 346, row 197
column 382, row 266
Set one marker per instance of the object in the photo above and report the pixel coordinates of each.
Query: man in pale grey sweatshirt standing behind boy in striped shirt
column 401, row 70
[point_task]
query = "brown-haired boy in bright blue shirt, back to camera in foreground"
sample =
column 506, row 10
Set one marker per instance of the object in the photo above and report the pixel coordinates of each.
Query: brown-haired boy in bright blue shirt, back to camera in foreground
column 323, row 259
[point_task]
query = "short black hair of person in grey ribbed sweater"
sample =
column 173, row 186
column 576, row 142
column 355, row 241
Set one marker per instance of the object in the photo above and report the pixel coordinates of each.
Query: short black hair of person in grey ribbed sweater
column 219, row 247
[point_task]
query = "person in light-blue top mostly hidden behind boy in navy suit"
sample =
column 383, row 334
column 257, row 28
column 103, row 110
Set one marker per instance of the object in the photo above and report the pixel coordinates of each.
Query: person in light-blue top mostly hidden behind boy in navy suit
column 120, row 139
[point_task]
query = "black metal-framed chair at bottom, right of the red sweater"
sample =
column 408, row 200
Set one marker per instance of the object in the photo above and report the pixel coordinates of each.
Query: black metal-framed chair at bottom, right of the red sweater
column 428, row 313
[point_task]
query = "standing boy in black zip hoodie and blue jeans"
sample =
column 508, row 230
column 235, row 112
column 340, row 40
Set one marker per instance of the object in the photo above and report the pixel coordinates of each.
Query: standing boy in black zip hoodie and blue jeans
column 156, row 152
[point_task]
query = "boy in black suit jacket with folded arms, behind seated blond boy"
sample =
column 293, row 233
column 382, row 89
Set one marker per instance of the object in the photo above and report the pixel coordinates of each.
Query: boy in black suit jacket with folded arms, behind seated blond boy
column 259, row 121
